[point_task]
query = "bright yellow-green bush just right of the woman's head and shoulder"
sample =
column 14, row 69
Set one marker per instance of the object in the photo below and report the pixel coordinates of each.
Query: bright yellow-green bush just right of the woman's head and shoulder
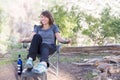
column 67, row 20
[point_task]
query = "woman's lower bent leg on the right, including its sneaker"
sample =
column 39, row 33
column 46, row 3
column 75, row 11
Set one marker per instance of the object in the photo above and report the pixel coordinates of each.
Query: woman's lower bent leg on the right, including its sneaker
column 45, row 51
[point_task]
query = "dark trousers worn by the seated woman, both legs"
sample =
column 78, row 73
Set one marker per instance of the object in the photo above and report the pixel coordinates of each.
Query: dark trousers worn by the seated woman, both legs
column 43, row 50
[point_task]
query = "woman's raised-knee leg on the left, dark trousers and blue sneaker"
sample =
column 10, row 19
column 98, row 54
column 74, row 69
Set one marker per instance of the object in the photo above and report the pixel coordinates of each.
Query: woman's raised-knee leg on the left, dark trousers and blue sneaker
column 33, row 50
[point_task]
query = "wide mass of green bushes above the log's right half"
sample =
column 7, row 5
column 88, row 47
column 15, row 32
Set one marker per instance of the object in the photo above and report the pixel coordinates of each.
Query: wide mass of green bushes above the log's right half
column 105, row 27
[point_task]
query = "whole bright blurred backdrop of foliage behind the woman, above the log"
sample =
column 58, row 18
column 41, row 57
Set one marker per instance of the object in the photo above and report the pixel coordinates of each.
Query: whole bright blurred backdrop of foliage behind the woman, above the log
column 86, row 22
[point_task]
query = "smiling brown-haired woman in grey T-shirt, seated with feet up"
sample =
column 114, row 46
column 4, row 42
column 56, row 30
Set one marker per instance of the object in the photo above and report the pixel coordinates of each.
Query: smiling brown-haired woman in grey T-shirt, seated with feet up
column 43, row 42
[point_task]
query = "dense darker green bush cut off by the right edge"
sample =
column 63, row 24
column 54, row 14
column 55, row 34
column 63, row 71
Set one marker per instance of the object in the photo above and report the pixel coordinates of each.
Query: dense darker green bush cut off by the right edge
column 110, row 24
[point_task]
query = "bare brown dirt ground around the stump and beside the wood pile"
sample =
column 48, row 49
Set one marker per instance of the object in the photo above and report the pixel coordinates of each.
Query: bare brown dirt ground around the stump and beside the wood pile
column 67, row 71
